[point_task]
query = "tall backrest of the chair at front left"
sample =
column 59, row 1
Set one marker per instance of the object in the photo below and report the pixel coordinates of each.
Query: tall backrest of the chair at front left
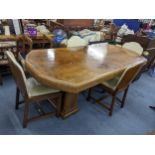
column 18, row 73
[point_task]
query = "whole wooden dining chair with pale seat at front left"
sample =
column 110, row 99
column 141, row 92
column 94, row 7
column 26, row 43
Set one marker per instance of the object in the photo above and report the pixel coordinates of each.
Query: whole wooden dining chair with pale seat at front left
column 32, row 91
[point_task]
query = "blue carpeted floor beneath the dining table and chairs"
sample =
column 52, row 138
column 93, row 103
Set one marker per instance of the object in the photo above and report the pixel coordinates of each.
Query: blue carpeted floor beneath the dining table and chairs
column 135, row 118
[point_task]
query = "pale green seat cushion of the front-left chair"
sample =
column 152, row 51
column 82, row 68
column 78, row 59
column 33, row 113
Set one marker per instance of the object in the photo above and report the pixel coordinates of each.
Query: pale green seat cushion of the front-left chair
column 36, row 89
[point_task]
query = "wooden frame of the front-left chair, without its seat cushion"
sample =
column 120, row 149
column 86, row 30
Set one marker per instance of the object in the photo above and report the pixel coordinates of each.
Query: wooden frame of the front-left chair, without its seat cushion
column 20, row 80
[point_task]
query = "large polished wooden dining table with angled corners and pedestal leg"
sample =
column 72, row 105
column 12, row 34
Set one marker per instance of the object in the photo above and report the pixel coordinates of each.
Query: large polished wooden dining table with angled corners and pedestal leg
column 73, row 70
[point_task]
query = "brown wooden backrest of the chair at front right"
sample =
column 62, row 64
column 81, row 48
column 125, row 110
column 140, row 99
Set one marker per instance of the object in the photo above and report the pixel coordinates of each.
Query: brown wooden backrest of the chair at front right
column 128, row 76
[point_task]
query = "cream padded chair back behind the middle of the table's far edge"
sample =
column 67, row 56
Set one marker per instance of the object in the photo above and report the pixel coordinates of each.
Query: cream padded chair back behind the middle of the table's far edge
column 76, row 41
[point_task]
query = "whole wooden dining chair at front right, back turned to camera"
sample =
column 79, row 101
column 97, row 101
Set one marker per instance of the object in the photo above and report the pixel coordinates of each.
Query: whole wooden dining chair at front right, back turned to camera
column 118, row 84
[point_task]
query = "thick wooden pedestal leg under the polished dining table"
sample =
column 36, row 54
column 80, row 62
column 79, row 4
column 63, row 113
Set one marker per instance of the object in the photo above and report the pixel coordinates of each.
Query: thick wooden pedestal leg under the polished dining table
column 69, row 104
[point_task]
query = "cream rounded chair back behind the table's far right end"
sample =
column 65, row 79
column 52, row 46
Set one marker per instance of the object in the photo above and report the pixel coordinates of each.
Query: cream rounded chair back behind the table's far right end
column 133, row 46
